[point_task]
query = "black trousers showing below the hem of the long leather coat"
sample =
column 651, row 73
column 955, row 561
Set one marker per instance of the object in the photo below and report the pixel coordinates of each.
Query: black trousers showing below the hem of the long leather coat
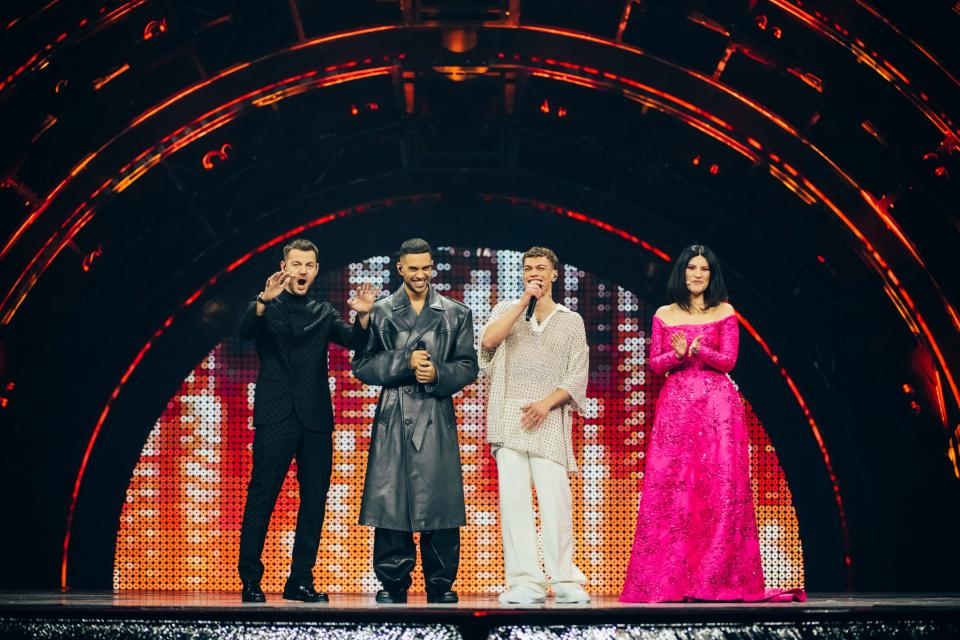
column 395, row 555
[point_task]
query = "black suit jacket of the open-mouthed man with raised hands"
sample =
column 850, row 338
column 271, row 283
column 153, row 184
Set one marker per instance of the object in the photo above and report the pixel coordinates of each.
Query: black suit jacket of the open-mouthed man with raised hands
column 293, row 363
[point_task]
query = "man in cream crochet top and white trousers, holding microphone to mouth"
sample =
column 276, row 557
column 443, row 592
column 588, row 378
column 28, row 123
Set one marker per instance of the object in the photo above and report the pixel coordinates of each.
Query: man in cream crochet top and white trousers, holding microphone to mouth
column 538, row 376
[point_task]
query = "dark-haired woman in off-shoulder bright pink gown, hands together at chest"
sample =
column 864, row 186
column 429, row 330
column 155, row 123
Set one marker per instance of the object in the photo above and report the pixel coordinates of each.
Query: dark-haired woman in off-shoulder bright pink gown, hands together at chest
column 696, row 536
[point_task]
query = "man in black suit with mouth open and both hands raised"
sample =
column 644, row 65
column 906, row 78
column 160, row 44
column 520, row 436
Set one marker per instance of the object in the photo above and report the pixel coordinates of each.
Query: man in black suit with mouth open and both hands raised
column 292, row 412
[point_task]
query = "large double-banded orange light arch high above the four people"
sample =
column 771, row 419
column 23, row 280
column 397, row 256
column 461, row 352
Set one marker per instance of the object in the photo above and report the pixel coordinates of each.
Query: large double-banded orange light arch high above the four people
column 700, row 119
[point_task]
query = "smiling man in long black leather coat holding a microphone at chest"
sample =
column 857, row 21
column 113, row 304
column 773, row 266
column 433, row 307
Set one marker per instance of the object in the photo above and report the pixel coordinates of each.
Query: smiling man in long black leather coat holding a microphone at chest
column 420, row 349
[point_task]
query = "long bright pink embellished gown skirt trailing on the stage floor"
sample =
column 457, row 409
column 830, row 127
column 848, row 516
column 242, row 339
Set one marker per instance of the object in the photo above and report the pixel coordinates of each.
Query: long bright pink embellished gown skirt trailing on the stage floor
column 696, row 535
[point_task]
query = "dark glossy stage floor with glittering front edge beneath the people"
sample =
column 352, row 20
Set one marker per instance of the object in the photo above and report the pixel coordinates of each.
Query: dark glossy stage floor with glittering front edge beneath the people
column 146, row 615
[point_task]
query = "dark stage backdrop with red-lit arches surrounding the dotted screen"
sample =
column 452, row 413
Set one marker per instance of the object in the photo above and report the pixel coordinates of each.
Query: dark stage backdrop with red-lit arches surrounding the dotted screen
column 810, row 145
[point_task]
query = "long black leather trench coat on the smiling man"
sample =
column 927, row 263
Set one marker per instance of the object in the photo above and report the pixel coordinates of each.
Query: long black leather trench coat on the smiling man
column 414, row 481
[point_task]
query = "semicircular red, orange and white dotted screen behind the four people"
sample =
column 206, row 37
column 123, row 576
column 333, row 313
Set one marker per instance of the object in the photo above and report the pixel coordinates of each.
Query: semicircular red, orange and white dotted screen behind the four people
column 180, row 525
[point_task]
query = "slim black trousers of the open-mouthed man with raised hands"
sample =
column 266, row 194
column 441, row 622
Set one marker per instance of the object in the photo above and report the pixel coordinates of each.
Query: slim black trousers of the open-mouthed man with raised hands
column 274, row 447
